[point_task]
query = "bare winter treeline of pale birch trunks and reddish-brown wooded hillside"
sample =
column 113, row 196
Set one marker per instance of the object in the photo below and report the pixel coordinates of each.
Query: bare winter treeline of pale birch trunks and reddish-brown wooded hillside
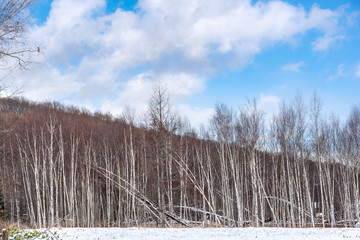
column 64, row 166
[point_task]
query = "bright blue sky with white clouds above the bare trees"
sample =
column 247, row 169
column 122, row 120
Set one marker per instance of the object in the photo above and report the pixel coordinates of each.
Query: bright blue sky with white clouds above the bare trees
column 106, row 55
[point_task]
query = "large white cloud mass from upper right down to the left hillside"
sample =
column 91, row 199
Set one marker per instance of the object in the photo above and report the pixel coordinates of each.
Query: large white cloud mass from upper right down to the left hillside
column 111, row 59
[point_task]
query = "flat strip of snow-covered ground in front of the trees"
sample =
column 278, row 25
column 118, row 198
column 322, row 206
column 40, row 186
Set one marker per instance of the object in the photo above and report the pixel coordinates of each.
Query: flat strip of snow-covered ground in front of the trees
column 208, row 233
